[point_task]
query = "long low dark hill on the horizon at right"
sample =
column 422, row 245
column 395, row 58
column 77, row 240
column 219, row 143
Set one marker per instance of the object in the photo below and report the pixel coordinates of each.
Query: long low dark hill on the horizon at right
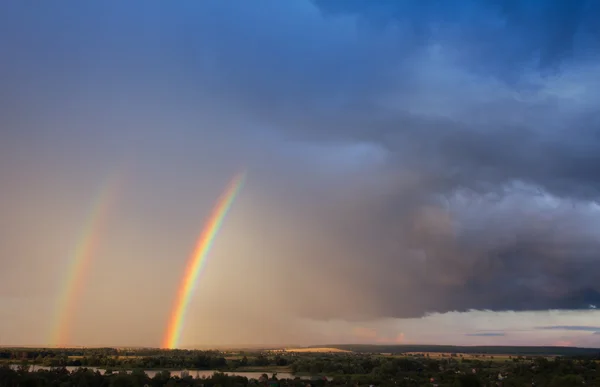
column 491, row 350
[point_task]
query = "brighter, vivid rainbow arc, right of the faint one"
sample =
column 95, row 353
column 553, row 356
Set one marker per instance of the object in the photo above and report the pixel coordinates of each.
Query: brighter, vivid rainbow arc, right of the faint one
column 198, row 259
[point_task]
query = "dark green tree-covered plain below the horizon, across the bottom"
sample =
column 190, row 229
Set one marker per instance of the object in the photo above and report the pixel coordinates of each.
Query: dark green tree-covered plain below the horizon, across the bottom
column 131, row 368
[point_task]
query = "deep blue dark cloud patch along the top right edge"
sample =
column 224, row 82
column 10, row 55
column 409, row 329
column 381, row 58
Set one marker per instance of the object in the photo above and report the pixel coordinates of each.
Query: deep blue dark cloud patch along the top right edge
column 549, row 32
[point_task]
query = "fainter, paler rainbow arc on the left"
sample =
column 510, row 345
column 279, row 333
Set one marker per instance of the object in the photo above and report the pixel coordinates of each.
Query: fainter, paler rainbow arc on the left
column 81, row 257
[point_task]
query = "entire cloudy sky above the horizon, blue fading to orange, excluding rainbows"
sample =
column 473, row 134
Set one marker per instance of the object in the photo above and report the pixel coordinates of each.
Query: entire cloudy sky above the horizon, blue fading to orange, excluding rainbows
column 417, row 171
